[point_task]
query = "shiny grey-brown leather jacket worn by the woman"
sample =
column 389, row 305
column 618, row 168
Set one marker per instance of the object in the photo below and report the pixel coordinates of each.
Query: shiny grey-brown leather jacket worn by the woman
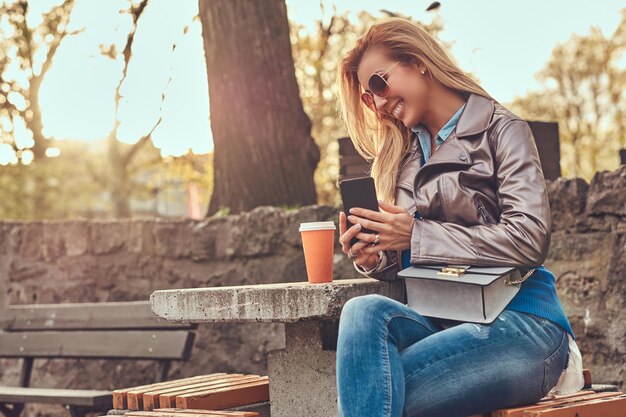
column 482, row 196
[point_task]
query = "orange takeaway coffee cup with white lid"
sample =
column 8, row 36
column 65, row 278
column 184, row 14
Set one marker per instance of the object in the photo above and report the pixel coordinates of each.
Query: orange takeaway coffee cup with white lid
column 318, row 241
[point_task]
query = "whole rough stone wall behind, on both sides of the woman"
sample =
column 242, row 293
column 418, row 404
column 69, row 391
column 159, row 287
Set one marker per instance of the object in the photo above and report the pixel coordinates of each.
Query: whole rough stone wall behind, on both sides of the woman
column 91, row 261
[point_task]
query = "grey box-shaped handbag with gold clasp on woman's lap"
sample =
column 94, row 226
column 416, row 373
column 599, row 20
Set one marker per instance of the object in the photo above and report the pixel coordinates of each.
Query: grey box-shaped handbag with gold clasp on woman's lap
column 461, row 292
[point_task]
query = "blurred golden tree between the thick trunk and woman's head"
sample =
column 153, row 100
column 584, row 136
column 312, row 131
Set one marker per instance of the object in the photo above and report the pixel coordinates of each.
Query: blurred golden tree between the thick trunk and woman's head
column 317, row 55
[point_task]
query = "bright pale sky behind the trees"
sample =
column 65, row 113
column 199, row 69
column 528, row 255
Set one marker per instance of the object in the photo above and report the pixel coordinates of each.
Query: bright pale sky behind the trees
column 503, row 42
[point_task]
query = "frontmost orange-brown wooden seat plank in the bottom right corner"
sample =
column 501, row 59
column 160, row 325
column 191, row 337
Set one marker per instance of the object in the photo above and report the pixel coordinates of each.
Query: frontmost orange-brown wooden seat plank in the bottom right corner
column 604, row 407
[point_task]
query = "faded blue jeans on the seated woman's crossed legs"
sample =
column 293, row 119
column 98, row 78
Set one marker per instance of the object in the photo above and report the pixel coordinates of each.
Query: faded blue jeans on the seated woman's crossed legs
column 392, row 361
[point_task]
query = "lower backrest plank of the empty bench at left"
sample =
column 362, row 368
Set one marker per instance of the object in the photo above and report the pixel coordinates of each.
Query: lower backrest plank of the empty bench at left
column 133, row 344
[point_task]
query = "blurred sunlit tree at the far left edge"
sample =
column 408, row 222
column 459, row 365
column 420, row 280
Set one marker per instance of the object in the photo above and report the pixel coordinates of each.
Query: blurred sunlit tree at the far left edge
column 27, row 52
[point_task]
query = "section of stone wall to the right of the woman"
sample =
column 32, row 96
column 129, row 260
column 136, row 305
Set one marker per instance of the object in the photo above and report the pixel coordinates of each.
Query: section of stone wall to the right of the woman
column 588, row 257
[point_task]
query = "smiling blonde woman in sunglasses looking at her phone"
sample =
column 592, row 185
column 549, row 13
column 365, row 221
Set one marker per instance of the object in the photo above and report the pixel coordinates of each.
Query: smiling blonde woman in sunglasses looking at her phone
column 461, row 183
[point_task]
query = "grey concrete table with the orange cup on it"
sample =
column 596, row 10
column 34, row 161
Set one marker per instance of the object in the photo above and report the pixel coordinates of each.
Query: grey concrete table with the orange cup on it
column 311, row 316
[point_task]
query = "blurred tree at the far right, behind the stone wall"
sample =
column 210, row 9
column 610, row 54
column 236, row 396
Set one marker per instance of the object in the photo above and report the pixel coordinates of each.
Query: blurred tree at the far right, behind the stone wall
column 584, row 83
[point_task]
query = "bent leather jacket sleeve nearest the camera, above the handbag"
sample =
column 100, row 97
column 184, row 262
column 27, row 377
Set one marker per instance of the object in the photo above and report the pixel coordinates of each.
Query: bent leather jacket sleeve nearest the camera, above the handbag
column 522, row 237
